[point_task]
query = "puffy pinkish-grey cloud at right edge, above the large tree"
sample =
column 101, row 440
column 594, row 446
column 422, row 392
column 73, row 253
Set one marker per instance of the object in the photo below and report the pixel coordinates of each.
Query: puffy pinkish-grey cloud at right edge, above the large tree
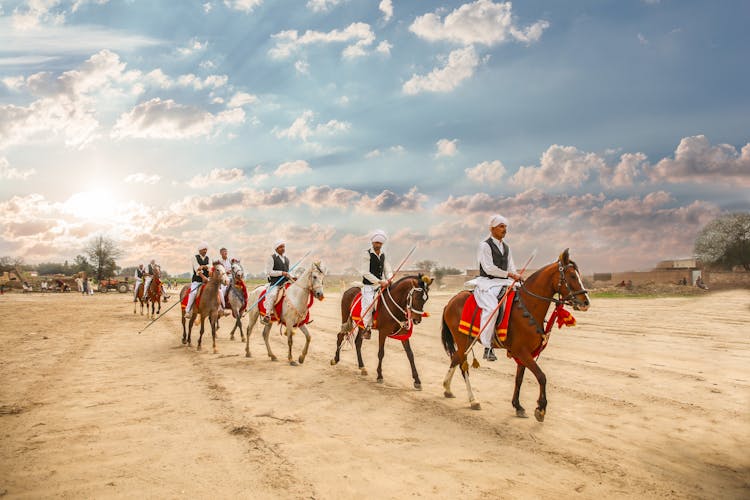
column 696, row 161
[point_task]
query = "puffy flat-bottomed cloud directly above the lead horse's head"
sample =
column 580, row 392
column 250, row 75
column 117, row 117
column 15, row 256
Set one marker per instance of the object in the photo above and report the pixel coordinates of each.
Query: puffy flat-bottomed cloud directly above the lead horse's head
column 560, row 166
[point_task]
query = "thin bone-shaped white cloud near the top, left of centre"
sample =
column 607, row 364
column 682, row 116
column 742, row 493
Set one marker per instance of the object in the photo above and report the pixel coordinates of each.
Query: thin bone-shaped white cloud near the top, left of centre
column 290, row 41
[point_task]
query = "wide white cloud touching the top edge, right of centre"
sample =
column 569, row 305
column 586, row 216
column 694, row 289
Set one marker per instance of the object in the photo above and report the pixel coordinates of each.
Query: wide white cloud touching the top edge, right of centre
column 482, row 22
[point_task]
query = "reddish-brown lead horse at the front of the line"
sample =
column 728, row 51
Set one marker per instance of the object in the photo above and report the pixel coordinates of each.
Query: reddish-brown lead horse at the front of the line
column 526, row 333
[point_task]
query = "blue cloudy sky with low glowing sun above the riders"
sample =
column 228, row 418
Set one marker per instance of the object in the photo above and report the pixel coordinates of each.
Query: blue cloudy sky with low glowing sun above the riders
column 615, row 128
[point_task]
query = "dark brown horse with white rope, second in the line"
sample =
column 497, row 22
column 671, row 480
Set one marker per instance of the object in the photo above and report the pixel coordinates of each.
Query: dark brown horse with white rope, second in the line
column 401, row 305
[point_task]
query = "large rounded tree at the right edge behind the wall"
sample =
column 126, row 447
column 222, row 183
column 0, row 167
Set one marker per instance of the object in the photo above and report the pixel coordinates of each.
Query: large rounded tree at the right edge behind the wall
column 725, row 242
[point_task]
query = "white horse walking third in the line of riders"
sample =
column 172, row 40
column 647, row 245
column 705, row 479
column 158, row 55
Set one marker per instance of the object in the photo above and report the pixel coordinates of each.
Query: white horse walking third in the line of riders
column 294, row 310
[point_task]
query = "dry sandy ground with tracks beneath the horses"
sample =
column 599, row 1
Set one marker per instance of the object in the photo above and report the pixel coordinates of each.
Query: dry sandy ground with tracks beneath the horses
column 648, row 398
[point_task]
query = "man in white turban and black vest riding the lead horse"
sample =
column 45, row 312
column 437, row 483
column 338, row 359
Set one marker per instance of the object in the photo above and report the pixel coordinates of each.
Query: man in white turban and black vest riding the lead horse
column 496, row 272
